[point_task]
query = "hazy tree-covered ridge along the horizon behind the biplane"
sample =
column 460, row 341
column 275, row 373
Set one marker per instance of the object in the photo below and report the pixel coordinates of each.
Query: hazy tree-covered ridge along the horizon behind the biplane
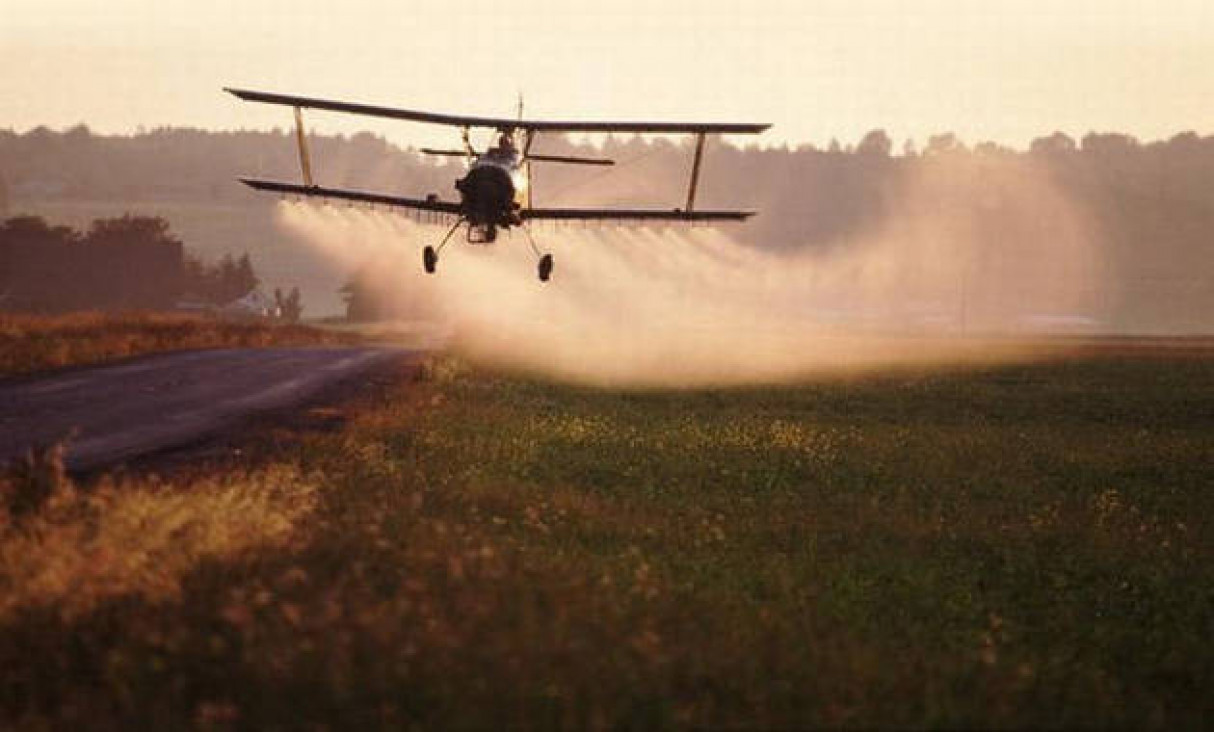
column 1149, row 203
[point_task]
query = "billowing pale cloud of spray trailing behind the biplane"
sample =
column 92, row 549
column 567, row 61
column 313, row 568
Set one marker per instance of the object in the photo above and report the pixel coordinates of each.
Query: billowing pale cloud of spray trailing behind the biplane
column 945, row 279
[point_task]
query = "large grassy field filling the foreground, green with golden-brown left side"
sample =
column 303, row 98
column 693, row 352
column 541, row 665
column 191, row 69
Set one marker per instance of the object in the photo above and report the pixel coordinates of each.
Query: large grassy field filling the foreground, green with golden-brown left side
column 1020, row 547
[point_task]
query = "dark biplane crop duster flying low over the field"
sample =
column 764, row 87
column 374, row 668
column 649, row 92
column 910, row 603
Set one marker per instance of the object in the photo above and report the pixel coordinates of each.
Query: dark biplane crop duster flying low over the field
column 496, row 192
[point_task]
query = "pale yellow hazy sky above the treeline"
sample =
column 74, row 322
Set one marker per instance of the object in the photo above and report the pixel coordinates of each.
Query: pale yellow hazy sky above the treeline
column 989, row 70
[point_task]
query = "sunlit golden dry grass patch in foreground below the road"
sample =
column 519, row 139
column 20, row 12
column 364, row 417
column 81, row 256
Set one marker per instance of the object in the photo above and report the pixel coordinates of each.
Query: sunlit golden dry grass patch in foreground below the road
column 72, row 551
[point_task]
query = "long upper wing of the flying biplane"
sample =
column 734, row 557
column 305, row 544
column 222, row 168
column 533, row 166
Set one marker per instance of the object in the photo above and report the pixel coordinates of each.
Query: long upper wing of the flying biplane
column 498, row 123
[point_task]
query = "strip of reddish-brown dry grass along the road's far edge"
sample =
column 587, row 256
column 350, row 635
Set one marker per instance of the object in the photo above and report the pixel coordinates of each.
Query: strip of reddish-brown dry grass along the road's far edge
column 37, row 343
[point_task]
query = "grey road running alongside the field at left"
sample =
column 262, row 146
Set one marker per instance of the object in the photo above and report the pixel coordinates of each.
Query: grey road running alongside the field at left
column 122, row 411
